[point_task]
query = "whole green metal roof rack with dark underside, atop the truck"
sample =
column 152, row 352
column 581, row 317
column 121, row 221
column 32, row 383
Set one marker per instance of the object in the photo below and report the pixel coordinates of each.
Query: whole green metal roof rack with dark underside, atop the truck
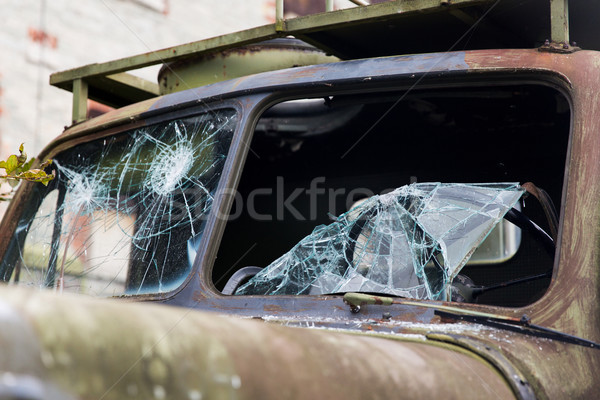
column 394, row 27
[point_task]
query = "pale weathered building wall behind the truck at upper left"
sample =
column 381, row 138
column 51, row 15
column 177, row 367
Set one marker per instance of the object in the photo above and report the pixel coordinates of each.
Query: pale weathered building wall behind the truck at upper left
column 38, row 37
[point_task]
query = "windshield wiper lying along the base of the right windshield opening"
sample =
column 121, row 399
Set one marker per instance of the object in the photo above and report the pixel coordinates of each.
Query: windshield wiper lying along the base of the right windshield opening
column 520, row 325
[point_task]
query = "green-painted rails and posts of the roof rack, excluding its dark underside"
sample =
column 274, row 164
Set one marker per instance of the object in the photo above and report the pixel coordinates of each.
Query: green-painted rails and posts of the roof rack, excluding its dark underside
column 110, row 84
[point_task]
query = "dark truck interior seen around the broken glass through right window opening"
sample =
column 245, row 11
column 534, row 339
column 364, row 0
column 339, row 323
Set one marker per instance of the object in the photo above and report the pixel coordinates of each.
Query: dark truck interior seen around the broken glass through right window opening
column 320, row 156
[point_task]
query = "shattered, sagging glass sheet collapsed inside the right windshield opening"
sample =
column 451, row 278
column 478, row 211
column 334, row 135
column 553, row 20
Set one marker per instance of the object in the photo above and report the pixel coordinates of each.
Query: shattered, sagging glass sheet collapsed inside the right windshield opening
column 411, row 242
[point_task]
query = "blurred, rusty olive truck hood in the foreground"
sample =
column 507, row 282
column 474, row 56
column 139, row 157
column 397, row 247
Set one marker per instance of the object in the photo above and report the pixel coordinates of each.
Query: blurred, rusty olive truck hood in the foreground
column 70, row 346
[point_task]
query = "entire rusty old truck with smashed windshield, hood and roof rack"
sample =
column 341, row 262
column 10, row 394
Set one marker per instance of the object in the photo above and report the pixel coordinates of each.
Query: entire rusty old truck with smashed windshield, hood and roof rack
column 339, row 195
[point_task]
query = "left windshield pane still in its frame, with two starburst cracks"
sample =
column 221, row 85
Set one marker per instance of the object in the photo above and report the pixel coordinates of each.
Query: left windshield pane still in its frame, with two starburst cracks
column 125, row 213
